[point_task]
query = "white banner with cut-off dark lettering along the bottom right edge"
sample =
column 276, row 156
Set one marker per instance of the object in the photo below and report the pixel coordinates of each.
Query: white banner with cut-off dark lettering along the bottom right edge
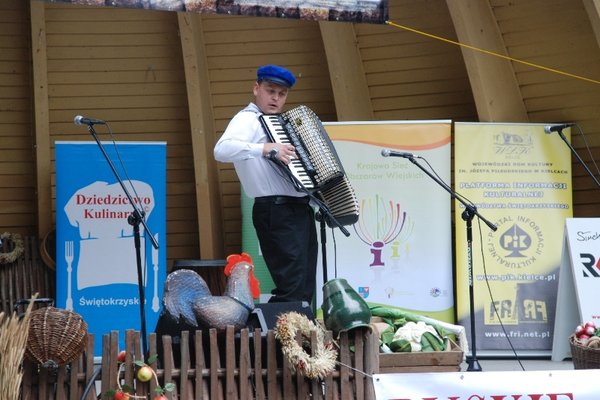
column 512, row 385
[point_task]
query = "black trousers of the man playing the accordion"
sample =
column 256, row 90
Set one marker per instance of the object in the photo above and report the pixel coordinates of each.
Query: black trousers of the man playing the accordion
column 287, row 235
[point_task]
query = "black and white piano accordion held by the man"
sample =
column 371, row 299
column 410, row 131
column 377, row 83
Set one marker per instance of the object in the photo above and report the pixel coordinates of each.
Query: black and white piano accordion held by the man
column 318, row 167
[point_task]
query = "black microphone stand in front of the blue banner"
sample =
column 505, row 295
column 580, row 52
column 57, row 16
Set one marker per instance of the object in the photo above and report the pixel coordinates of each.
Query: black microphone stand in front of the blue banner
column 134, row 219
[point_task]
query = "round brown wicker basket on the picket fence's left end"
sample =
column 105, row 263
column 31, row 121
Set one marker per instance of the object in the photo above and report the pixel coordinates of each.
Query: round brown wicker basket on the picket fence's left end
column 56, row 336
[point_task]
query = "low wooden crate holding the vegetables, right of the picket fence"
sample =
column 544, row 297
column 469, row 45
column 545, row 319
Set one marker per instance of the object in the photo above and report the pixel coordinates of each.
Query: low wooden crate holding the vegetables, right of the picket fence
column 429, row 361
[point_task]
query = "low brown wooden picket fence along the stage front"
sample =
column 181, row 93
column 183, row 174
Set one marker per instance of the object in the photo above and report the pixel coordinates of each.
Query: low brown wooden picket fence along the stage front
column 210, row 365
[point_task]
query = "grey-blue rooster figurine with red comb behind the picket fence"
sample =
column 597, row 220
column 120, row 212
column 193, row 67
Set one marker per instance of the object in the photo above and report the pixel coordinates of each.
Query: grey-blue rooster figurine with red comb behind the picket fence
column 187, row 300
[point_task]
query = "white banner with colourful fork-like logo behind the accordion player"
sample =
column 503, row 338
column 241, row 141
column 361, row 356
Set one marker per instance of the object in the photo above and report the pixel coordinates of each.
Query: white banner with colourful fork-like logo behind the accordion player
column 399, row 253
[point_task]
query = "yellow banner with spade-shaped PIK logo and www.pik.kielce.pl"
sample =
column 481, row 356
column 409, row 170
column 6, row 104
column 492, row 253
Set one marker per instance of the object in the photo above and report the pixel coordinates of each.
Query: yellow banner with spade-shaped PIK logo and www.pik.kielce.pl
column 519, row 178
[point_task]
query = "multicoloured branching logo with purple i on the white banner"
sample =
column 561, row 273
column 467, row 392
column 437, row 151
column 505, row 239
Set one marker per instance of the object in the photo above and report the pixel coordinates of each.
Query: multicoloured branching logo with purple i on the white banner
column 380, row 223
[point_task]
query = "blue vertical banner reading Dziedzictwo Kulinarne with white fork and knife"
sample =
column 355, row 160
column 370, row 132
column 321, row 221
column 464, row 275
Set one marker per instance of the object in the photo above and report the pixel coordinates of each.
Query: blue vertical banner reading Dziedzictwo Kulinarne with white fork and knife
column 96, row 264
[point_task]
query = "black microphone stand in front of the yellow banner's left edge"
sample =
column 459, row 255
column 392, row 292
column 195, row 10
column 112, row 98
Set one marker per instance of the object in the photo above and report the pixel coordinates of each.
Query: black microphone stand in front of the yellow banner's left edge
column 467, row 215
